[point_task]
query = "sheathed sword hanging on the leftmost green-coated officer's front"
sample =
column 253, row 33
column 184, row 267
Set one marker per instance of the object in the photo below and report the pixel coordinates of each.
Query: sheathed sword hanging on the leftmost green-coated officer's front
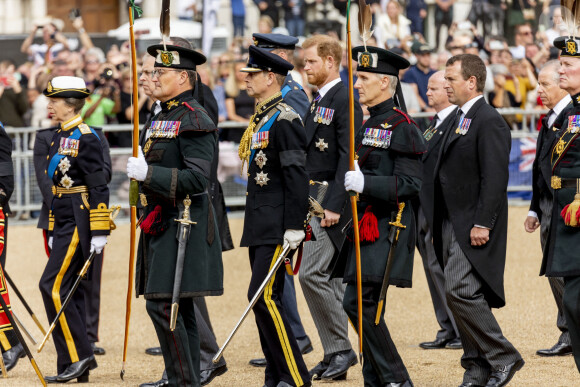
column 182, row 237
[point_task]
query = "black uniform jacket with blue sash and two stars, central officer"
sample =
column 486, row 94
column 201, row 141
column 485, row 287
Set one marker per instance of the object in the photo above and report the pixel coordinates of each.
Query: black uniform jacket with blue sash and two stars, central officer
column 277, row 197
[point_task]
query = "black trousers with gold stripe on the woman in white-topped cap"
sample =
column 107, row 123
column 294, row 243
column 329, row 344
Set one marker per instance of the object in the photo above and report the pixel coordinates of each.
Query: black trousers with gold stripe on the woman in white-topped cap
column 65, row 262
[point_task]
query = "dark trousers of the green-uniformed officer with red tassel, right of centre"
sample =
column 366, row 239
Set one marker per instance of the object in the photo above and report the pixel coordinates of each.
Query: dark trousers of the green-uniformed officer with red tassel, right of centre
column 382, row 363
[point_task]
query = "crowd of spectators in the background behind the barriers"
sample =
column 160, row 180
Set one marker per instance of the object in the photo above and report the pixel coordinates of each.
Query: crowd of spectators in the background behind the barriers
column 514, row 53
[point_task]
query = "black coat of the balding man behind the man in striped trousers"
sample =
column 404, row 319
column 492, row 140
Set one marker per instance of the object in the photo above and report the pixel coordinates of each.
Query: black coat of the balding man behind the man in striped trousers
column 433, row 137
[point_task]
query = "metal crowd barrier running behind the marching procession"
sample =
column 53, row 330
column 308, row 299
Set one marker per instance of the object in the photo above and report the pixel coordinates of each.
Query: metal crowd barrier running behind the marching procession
column 26, row 199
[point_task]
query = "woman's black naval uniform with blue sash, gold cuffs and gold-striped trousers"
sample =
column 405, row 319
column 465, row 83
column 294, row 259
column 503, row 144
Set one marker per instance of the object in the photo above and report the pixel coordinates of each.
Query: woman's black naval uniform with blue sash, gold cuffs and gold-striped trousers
column 73, row 164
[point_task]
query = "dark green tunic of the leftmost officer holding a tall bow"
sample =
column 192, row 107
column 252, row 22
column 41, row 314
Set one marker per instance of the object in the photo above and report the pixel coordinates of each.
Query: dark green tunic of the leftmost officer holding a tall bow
column 178, row 144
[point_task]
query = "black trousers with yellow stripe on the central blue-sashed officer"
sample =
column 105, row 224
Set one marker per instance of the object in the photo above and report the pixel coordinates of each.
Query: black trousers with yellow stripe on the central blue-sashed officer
column 284, row 360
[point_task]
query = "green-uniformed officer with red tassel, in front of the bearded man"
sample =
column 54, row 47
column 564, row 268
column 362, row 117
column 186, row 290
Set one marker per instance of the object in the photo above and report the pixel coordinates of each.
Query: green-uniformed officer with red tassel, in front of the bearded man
column 389, row 147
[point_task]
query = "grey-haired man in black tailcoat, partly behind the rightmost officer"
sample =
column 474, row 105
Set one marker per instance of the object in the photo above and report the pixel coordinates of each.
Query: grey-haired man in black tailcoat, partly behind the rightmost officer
column 560, row 103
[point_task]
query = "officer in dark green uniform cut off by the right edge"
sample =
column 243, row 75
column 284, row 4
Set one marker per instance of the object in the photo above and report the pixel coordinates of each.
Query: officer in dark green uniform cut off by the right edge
column 561, row 256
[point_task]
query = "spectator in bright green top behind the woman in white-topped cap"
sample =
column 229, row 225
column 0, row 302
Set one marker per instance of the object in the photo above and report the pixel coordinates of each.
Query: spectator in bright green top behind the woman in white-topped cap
column 105, row 101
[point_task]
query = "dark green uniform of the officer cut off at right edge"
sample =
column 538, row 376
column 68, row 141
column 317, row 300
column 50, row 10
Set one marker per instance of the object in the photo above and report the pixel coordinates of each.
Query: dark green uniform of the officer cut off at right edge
column 561, row 256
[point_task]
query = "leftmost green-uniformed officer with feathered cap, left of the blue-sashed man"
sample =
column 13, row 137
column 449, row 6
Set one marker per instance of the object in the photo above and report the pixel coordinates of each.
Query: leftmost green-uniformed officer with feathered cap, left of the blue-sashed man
column 177, row 149
